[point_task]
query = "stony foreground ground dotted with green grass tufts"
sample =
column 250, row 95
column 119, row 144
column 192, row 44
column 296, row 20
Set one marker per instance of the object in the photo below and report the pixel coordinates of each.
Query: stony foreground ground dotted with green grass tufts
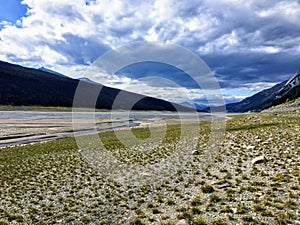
column 252, row 179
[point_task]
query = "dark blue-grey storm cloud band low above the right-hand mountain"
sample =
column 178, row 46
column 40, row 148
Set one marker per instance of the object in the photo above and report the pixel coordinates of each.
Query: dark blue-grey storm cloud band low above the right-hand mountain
column 235, row 70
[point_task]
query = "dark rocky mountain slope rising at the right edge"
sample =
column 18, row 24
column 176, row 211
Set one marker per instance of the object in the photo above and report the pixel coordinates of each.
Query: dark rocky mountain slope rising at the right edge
column 286, row 90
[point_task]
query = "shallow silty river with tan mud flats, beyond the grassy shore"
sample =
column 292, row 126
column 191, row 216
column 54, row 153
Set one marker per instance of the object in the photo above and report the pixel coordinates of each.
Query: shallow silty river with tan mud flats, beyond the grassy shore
column 23, row 127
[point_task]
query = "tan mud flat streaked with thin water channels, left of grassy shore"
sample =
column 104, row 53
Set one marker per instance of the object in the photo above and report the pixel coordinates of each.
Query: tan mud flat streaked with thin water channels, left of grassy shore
column 23, row 131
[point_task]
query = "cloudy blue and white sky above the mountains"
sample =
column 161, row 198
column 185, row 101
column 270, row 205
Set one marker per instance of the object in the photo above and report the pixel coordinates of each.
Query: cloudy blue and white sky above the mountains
column 248, row 45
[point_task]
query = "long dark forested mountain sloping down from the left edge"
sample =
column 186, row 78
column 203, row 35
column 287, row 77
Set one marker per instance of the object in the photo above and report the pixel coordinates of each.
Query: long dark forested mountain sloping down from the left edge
column 26, row 86
